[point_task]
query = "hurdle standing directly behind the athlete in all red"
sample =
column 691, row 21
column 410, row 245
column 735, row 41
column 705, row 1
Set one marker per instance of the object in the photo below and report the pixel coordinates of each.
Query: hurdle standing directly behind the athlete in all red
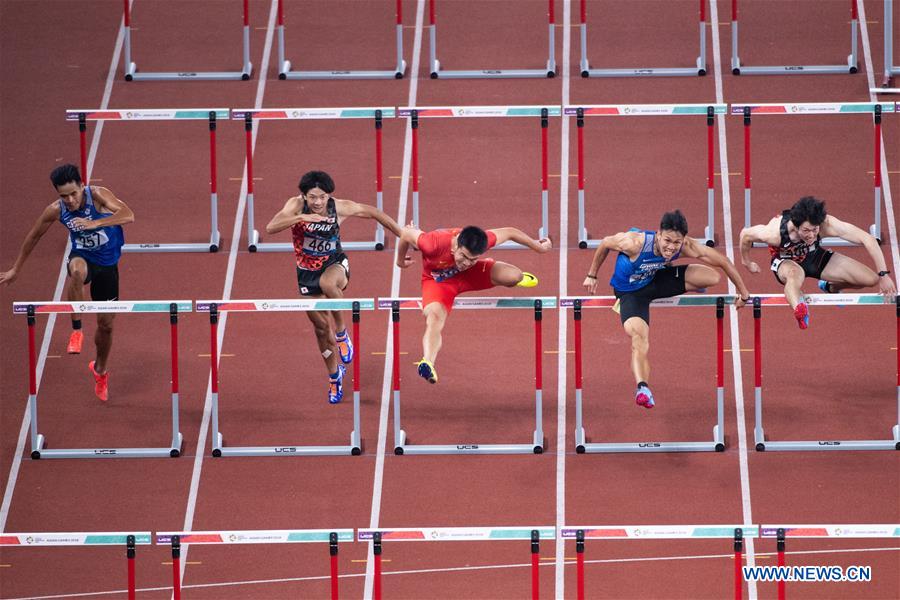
column 427, row 112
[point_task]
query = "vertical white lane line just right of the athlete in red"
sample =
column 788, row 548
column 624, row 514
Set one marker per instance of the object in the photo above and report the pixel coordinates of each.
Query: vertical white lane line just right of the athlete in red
column 561, row 400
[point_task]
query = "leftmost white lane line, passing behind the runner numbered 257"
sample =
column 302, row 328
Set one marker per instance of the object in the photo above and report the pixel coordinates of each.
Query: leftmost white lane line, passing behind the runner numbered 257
column 57, row 293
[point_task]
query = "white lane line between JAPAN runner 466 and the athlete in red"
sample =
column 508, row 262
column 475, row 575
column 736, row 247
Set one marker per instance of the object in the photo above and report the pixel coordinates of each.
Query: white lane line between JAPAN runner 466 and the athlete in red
column 386, row 390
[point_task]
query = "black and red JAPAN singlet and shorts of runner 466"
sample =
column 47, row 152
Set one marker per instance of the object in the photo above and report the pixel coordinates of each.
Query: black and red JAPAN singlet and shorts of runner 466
column 317, row 246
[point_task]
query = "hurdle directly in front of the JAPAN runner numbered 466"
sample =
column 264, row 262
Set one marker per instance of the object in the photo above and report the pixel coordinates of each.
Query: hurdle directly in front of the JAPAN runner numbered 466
column 214, row 307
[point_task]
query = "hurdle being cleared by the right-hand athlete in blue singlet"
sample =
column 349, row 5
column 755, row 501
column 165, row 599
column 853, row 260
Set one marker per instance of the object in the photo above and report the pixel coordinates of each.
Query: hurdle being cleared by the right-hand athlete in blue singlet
column 718, row 442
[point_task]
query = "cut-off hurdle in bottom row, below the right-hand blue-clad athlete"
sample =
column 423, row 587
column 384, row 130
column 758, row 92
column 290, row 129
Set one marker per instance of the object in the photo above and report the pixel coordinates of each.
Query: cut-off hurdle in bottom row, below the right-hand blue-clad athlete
column 738, row 533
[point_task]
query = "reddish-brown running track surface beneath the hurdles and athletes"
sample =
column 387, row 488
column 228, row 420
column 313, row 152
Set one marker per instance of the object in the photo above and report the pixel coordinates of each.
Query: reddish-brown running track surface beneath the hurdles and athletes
column 834, row 381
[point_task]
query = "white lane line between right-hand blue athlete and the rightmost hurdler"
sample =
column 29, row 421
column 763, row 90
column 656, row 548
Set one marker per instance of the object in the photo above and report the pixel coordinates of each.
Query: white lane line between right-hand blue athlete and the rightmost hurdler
column 741, row 424
